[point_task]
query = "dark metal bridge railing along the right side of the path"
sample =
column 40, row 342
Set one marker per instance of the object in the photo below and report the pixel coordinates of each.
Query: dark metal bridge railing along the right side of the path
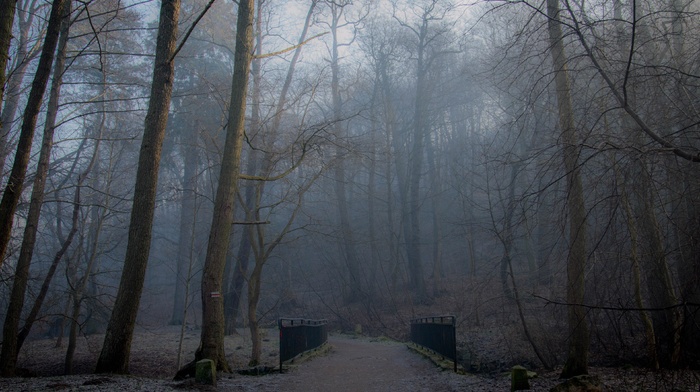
column 437, row 333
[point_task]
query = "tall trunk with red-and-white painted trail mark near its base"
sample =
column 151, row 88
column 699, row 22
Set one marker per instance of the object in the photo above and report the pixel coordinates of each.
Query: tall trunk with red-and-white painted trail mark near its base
column 212, row 338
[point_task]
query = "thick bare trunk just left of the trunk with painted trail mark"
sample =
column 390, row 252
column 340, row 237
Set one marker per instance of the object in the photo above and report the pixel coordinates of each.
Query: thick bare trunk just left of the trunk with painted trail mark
column 116, row 349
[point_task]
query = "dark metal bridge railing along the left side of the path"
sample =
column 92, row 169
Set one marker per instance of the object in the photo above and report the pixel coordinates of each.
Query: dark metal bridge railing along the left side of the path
column 298, row 335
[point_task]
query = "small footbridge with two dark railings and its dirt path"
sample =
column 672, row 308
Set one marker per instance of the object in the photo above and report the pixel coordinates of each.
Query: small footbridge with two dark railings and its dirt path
column 361, row 364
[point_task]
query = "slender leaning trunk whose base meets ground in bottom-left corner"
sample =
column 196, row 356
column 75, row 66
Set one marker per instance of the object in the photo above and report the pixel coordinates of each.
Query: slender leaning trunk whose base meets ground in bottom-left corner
column 10, row 346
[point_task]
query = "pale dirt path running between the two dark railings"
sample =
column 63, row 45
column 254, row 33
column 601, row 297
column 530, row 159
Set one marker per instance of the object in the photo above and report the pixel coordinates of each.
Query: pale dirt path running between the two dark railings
column 363, row 365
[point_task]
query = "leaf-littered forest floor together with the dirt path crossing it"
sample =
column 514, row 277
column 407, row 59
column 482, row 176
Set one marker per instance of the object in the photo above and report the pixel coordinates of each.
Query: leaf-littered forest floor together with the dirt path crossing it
column 351, row 364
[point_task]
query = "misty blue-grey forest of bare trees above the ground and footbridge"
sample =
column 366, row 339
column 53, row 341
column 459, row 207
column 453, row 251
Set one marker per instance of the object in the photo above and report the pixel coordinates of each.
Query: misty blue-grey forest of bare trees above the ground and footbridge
column 524, row 165
